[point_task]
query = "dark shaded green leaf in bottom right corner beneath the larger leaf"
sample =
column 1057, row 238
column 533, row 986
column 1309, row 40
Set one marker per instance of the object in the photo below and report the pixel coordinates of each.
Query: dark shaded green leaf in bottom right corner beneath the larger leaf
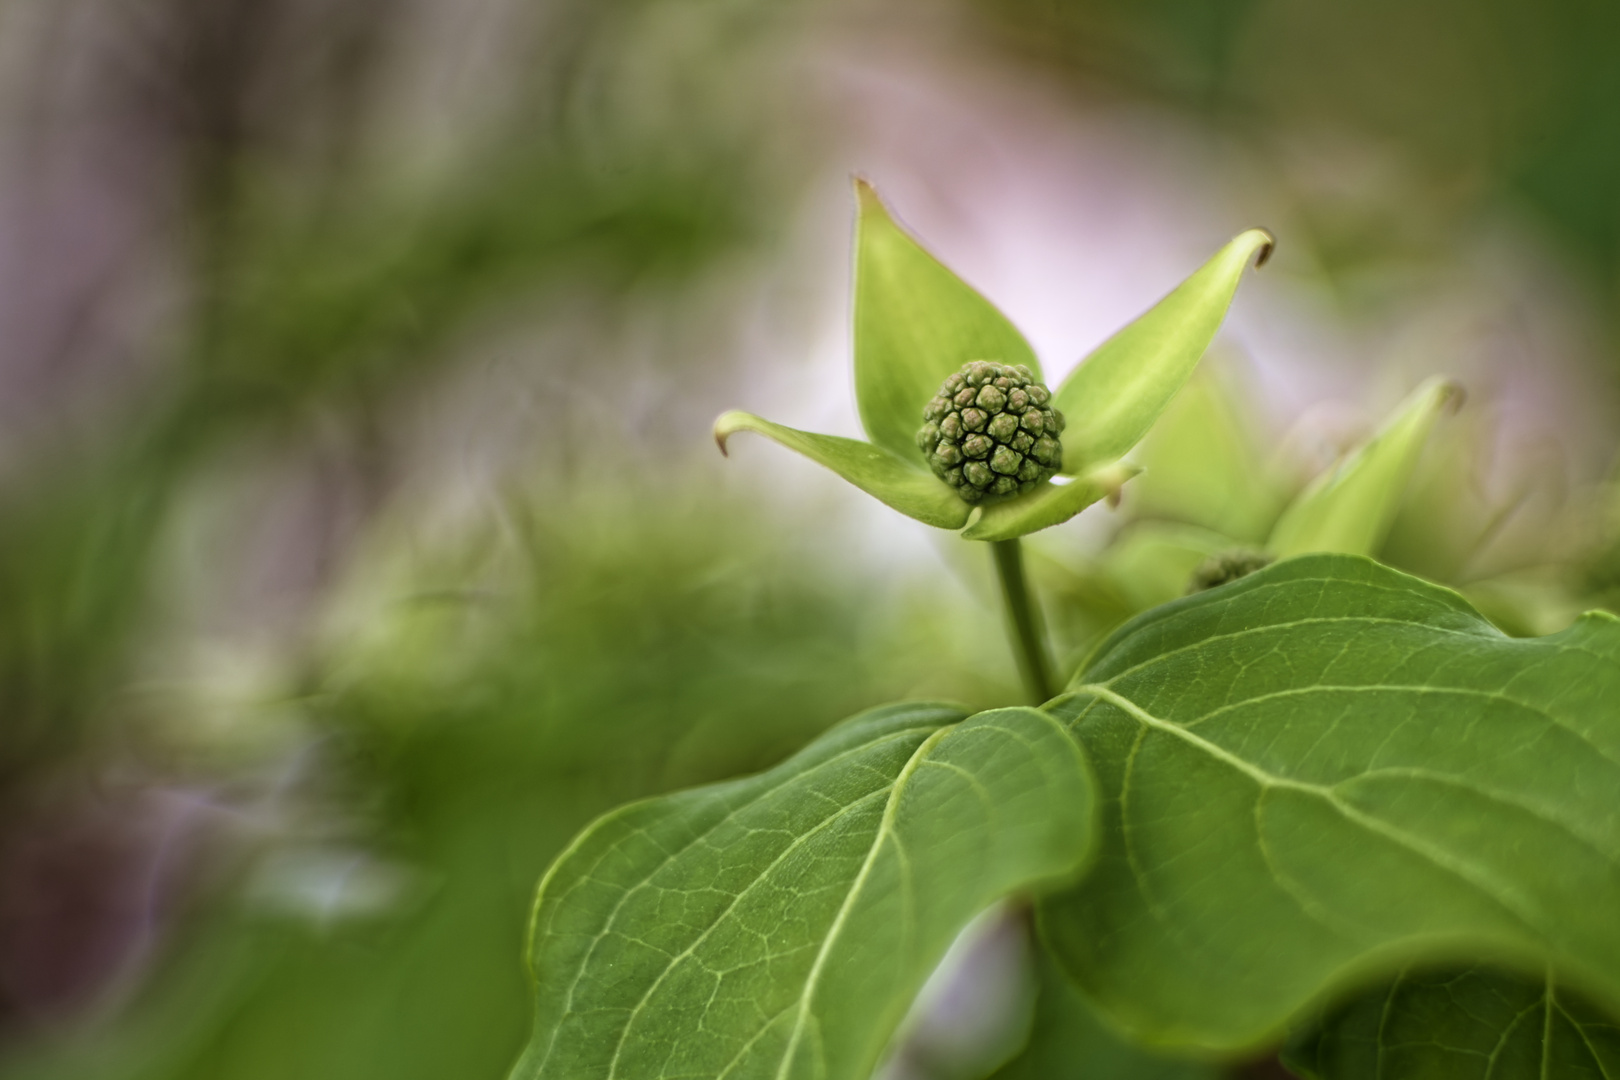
column 1473, row 1024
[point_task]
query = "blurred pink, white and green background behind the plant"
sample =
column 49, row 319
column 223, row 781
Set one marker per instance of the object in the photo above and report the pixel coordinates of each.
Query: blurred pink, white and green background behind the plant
column 360, row 530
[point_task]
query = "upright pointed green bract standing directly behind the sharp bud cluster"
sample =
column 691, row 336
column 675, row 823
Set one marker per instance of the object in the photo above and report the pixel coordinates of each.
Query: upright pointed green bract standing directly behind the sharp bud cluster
column 916, row 323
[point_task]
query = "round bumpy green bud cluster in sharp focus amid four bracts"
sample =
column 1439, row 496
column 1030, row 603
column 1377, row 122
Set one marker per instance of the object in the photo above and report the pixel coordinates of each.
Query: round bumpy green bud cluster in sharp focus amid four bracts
column 992, row 432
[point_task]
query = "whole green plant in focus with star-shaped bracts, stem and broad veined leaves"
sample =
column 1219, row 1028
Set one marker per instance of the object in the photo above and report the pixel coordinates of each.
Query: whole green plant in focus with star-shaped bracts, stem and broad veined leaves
column 1240, row 817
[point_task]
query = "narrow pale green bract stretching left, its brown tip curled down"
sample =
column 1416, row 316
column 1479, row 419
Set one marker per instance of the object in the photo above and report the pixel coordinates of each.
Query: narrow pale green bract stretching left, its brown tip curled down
column 902, row 483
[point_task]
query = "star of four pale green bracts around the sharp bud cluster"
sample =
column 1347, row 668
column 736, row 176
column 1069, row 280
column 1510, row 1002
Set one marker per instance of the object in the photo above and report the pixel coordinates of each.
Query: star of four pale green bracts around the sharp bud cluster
column 916, row 323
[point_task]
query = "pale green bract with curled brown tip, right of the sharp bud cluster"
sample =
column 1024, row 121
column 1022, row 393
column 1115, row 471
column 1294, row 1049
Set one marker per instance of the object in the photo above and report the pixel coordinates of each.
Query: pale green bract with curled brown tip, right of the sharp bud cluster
column 1117, row 393
